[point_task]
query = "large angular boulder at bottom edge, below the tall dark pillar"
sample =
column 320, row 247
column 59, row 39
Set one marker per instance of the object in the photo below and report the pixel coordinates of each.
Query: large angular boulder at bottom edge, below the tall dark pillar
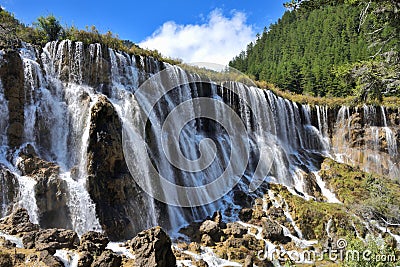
column 153, row 248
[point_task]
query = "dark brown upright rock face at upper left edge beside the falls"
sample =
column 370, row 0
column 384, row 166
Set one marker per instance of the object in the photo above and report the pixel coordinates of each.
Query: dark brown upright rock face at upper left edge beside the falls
column 12, row 77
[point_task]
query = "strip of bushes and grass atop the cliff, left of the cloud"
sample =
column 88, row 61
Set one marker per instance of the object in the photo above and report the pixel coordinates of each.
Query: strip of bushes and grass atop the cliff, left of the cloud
column 49, row 28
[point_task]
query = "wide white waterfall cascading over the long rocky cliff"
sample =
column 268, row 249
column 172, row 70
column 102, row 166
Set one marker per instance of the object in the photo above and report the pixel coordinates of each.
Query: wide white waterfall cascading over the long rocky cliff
column 63, row 84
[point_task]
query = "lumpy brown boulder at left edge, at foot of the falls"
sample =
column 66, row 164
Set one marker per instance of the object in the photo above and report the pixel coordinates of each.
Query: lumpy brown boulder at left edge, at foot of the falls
column 17, row 222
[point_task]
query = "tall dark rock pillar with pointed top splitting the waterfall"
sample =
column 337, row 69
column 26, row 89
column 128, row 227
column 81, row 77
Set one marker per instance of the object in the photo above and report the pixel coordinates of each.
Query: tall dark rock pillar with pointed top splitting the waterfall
column 110, row 184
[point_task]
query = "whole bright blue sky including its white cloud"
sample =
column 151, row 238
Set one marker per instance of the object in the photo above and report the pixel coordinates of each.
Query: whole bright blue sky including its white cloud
column 206, row 30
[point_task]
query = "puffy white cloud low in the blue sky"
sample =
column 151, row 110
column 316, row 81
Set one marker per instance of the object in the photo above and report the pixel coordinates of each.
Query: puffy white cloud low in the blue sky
column 217, row 41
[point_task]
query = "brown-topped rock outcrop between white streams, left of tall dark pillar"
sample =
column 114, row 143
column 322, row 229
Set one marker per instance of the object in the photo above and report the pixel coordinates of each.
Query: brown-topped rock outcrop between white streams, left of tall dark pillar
column 51, row 192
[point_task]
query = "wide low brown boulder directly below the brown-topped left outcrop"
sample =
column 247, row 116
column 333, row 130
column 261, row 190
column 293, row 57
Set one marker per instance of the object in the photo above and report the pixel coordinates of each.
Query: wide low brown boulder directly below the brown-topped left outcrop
column 53, row 239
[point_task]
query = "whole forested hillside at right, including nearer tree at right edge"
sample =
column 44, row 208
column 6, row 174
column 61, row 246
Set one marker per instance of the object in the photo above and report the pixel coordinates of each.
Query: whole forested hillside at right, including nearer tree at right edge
column 330, row 48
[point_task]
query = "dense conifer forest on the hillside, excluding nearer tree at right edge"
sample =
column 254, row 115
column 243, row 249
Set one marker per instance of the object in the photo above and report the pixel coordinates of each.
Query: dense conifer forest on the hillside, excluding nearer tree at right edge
column 299, row 52
